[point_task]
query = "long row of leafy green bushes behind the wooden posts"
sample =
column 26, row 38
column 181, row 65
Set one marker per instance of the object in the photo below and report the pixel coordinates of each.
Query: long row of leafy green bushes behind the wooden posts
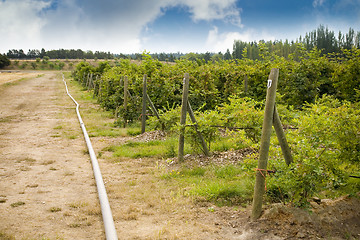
column 317, row 102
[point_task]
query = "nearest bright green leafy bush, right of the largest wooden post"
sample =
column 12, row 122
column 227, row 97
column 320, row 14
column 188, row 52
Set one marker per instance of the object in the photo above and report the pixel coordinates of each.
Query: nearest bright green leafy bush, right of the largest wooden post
column 326, row 149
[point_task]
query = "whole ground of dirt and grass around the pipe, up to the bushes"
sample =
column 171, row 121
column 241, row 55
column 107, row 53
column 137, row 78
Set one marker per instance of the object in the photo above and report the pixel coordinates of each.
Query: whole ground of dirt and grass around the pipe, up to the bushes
column 48, row 192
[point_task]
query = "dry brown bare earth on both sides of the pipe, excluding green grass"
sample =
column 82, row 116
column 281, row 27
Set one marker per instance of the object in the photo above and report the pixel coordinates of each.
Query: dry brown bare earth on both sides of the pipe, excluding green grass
column 47, row 189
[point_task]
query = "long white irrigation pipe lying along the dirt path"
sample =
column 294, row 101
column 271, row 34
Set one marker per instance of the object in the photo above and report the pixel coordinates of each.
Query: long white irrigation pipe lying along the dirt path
column 110, row 231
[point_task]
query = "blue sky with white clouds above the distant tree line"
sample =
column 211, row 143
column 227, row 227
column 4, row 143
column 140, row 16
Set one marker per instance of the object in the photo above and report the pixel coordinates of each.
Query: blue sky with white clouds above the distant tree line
column 155, row 26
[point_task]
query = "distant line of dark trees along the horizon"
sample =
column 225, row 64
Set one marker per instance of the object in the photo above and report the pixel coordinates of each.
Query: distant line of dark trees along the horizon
column 322, row 38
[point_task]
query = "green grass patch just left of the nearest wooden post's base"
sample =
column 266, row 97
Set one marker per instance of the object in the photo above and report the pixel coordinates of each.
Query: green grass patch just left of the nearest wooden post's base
column 223, row 185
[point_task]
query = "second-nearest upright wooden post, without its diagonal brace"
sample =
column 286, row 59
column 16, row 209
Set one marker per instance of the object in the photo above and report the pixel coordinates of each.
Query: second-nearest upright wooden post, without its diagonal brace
column 183, row 117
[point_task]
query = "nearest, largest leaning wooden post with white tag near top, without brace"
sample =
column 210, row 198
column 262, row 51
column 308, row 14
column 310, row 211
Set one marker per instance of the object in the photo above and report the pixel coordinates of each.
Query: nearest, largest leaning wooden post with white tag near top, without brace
column 264, row 144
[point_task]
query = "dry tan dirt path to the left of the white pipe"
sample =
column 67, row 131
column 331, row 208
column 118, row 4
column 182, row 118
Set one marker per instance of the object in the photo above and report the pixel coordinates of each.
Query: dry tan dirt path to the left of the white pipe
column 47, row 188
